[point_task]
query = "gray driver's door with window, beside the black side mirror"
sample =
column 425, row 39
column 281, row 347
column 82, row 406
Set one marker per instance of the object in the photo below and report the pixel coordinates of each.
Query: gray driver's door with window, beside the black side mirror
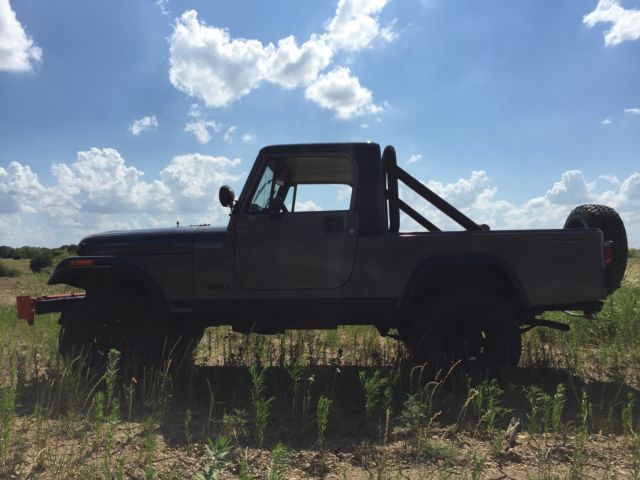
column 287, row 240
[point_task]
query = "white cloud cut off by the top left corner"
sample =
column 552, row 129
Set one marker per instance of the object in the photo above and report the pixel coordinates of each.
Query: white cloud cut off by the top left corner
column 18, row 51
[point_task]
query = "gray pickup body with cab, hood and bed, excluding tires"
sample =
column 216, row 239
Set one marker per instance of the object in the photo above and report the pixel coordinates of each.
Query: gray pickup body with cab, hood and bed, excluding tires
column 275, row 269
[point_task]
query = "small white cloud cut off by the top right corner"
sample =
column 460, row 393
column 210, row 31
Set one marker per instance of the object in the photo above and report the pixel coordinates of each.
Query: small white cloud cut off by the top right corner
column 625, row 23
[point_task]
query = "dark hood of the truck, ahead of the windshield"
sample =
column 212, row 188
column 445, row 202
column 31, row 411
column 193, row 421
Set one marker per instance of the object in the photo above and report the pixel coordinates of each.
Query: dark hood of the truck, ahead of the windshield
column 176, row 240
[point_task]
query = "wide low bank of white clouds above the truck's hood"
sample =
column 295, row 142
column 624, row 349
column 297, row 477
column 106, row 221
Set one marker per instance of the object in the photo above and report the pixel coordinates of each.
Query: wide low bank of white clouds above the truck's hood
column 100, row 190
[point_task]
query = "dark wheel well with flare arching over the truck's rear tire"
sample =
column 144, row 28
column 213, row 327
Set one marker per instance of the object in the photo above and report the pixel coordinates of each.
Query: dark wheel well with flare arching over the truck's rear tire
column 489, row 277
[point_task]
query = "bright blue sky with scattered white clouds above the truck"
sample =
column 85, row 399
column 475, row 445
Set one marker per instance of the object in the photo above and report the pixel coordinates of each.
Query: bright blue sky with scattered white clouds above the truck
column 122, row 114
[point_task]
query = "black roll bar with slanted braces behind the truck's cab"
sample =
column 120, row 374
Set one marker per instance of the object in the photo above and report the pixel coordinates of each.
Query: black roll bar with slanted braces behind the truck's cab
column 394, row 174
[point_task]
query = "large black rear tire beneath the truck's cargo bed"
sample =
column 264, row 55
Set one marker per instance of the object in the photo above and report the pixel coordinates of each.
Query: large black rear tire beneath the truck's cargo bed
column 467, row 325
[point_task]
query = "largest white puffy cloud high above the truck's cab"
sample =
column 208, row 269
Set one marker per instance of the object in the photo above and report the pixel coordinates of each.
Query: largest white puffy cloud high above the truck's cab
column 207, row 63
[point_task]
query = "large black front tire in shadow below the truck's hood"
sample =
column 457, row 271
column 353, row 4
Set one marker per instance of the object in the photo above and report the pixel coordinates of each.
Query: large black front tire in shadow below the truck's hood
column 129, row 323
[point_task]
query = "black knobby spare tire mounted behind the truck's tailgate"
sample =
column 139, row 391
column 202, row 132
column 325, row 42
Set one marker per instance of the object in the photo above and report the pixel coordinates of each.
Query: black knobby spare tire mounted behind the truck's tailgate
column 606, row 219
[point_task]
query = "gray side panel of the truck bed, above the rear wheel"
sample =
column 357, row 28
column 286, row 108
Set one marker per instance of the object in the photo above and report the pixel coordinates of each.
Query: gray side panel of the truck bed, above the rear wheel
column 552, row 266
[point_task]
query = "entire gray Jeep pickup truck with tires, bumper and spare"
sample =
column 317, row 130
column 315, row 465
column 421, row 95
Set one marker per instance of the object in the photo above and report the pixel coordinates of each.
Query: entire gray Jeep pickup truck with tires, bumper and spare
column 450, row 295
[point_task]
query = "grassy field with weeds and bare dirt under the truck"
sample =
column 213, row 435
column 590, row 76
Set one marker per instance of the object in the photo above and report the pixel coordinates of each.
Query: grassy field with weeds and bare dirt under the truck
column 326, row 404
